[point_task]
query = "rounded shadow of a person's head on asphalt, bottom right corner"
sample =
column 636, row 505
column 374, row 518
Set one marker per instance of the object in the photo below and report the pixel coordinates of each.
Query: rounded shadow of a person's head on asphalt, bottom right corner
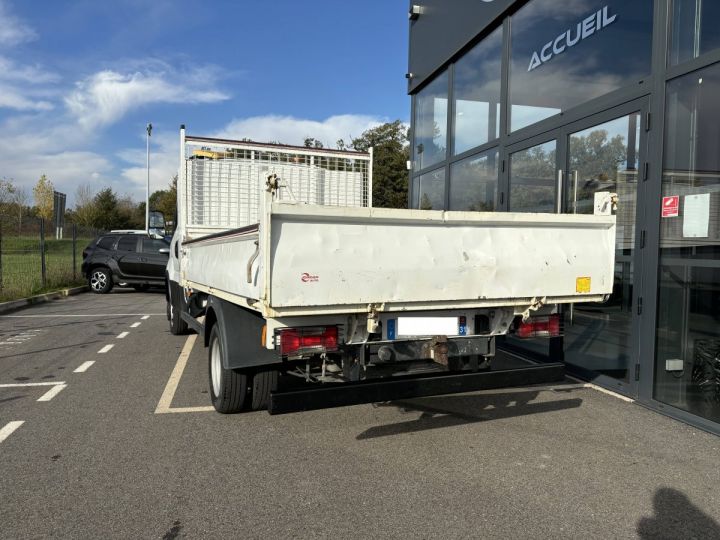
column 676, row 517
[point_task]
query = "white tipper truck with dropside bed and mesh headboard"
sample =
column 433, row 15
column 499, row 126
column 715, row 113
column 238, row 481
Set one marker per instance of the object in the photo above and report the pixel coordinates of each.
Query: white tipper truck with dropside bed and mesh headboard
column 308, row 297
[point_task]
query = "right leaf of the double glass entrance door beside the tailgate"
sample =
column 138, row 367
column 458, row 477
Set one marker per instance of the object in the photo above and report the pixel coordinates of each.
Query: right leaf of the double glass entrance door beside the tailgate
column 606, row 153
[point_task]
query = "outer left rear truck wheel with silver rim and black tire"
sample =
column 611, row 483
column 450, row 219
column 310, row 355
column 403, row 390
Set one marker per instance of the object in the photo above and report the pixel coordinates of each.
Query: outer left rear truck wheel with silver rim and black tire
column 228, row 387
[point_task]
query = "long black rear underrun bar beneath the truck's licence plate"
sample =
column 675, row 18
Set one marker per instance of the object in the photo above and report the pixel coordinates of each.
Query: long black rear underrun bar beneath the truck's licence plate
column 339, row 395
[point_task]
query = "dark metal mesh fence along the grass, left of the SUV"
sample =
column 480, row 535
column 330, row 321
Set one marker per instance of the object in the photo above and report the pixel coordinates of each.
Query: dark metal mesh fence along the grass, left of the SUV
column 33, row 260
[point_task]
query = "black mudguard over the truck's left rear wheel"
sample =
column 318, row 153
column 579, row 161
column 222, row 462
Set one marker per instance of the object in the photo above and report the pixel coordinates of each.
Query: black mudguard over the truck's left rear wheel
column 241, row 334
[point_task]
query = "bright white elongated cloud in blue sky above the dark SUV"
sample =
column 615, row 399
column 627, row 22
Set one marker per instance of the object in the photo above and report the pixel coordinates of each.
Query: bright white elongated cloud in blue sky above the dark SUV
column 105, row 97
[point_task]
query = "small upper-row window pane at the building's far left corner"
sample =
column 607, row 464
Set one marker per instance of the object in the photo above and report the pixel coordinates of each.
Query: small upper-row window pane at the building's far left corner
column 430, row 129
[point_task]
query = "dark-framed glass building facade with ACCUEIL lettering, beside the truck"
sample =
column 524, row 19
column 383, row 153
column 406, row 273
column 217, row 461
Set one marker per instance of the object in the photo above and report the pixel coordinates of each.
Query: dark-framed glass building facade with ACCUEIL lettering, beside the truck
column 552, row 102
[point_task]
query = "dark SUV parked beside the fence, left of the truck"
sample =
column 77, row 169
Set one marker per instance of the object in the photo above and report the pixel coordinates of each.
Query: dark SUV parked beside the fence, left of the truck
column 125, row 259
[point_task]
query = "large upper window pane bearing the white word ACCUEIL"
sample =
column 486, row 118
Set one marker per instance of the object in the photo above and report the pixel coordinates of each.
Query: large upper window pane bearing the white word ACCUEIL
column 564, row 54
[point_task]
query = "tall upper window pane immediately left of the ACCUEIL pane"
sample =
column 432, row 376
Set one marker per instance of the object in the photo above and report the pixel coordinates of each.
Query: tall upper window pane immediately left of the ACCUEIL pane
column 477, row 94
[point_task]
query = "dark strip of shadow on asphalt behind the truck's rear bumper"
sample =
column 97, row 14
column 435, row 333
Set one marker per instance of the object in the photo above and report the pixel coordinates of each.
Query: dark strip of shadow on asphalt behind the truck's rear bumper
column 451, row 411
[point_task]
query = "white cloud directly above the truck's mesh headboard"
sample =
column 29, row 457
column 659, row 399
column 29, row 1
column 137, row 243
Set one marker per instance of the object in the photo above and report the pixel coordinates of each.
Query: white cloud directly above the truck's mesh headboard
column 292, row 130
